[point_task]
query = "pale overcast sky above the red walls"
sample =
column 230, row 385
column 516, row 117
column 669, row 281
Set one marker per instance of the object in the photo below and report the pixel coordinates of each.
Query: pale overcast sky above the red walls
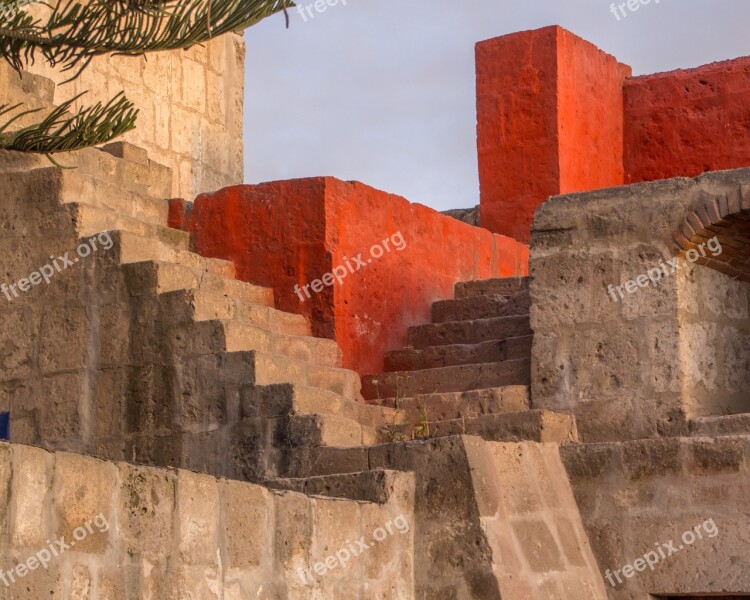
column 382, row 91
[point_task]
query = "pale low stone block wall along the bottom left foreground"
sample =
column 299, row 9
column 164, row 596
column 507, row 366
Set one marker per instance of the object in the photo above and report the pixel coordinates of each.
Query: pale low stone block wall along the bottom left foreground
column 162, row 534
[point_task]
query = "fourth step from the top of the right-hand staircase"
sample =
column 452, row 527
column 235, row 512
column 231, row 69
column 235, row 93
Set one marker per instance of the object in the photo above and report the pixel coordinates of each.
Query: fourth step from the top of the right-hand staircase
column 433, row 357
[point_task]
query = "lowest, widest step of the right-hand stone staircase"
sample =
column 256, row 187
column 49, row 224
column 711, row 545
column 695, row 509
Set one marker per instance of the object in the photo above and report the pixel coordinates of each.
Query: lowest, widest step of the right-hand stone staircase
column 531, row 425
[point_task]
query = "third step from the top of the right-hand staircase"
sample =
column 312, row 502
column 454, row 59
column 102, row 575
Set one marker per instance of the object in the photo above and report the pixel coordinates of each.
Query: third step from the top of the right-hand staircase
column 468, row 332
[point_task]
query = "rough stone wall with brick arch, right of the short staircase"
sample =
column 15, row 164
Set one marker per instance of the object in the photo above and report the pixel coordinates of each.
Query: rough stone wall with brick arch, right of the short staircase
column 645, row 364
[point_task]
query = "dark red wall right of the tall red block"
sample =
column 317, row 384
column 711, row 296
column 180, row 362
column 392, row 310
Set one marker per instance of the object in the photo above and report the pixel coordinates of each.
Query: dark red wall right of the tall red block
column 683, row 123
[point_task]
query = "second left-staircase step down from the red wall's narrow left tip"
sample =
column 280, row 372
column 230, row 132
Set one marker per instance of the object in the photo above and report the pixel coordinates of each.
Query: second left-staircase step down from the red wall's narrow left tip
column 132, row 248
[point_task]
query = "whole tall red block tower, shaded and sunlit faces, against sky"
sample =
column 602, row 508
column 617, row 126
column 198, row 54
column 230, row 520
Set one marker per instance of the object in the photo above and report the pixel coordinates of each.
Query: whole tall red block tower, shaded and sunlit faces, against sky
column 549, row 121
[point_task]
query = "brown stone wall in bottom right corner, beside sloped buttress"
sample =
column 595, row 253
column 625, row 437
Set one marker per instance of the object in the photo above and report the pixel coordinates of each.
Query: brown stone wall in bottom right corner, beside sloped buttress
column 636, row 497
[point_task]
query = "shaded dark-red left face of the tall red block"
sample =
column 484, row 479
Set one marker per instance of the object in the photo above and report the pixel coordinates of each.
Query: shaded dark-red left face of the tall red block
column 516, row 128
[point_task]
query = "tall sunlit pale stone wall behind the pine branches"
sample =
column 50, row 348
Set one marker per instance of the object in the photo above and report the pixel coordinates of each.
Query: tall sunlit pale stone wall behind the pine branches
column 191, row 108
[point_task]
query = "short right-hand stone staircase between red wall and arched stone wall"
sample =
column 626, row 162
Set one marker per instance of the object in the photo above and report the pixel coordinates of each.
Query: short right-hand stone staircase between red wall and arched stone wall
column 468, row 371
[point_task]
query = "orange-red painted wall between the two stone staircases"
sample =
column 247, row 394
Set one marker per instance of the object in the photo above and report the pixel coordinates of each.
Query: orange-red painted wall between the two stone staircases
column 292, row 232
